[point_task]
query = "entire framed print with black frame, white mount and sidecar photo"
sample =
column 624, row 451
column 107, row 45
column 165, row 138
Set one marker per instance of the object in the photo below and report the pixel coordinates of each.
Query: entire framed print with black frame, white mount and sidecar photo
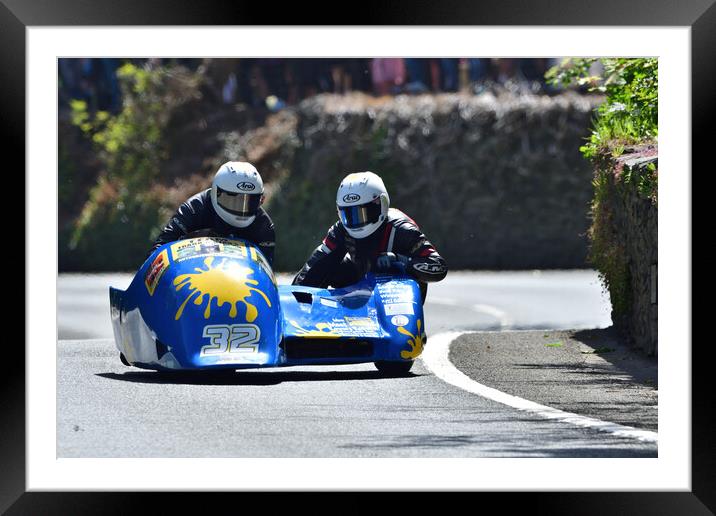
column 83, row 438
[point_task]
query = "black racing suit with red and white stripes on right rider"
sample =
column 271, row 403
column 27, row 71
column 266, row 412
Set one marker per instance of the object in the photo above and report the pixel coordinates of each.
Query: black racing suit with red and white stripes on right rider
column 341, row 260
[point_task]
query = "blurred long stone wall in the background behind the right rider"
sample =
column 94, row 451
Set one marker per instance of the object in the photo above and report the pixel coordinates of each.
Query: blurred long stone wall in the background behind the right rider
column 495, row 180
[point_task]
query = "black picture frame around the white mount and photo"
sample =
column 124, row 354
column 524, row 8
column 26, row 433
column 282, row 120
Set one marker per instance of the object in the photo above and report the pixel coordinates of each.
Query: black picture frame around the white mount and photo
column 700, row 15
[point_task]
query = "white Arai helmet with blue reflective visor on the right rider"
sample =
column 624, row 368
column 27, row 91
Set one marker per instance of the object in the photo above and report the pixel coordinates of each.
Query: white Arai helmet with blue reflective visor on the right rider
column 362, row 203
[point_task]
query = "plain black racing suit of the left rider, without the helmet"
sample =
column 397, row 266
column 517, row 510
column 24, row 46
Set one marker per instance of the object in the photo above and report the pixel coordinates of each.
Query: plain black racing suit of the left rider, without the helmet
column 198, row 213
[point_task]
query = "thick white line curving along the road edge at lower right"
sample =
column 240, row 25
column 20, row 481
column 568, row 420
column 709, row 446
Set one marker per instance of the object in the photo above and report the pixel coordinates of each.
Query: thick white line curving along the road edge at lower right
column 435, row 358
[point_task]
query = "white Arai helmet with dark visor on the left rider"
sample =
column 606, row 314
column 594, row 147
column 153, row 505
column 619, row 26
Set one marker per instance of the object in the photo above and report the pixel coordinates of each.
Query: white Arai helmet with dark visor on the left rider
column 237, row 192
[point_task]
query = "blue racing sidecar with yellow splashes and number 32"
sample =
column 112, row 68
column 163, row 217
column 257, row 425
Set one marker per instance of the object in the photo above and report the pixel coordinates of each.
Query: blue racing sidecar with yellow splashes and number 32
column 207, row 303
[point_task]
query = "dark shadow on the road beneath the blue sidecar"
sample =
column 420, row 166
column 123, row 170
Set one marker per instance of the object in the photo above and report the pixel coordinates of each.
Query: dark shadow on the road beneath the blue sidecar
column 247, row 378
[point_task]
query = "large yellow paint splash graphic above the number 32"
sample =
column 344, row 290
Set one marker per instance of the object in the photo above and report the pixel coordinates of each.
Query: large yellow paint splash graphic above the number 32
column 225, row 283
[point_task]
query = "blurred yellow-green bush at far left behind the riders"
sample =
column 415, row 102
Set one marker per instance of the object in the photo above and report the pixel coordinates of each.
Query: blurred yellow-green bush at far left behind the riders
column 122, row 209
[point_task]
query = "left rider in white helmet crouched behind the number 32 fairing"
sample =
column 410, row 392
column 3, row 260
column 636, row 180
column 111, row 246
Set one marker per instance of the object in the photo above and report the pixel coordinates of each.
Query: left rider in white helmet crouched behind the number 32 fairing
column 231, row 208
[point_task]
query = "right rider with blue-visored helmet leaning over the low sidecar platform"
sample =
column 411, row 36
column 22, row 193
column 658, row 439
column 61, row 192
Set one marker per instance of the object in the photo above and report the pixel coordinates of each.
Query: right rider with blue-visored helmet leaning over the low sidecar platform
column 370, row 236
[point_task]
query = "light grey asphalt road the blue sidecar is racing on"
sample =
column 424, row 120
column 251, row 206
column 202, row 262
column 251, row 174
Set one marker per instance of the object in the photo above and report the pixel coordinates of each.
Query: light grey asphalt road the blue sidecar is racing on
column 105, row 409
